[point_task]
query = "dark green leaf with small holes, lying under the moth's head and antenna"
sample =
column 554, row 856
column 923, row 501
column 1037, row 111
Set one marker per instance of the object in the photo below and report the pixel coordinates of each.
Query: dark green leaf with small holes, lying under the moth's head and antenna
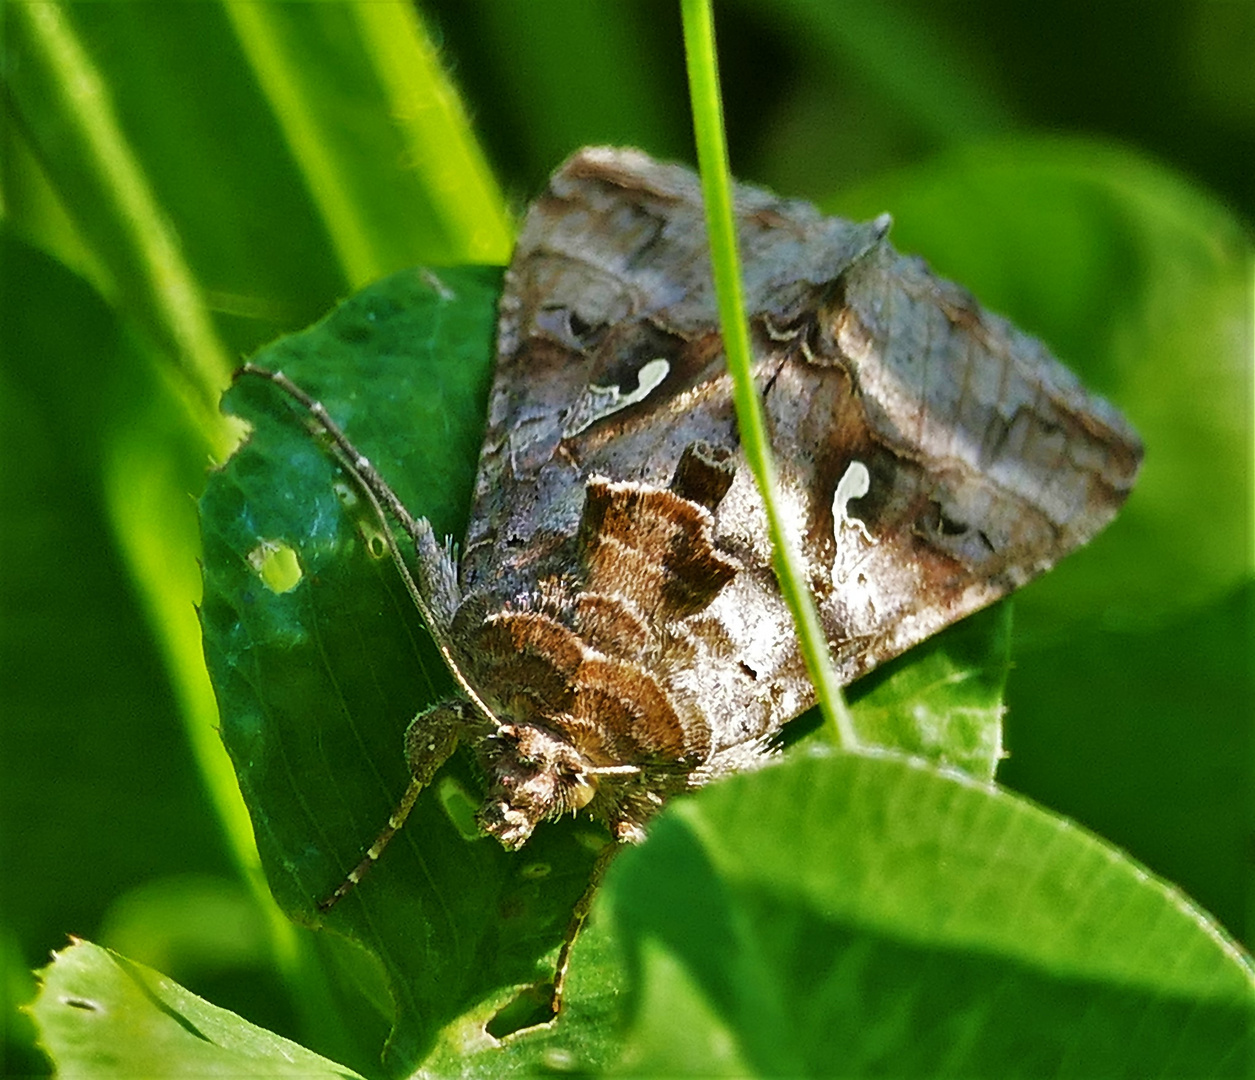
column 317, row 684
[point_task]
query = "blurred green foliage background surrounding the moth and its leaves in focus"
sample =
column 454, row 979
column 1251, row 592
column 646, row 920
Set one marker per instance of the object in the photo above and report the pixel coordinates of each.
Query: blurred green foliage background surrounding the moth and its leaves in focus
column 181, row 184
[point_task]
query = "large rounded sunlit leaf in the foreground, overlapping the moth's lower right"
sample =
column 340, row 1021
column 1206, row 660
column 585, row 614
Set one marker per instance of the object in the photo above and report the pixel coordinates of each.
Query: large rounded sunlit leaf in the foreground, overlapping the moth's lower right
column 869, row 916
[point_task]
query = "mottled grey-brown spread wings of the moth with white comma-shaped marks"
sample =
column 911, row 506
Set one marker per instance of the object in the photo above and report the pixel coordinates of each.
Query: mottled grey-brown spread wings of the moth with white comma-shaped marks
column 932, row 457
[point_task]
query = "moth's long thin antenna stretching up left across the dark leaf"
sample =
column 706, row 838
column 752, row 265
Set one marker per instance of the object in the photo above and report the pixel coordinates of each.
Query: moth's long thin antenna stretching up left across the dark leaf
column 435, row 594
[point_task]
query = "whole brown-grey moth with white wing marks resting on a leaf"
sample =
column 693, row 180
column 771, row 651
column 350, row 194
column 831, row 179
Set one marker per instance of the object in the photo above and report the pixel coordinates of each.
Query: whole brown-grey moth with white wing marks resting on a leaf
column 614, row 623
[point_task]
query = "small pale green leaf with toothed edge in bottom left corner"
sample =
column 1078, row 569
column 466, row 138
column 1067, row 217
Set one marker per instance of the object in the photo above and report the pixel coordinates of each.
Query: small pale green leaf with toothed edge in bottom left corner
column 102, row 1015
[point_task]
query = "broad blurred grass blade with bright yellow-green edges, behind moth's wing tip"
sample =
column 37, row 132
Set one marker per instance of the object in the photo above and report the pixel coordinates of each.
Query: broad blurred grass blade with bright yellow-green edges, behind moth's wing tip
column 431, row 131
